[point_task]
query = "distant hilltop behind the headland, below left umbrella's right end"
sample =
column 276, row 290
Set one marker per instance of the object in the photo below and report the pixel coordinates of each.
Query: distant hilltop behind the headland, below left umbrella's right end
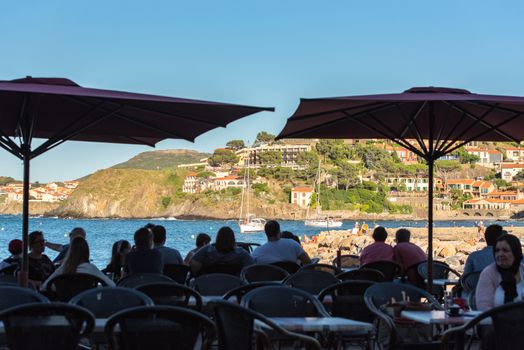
column 154, row 160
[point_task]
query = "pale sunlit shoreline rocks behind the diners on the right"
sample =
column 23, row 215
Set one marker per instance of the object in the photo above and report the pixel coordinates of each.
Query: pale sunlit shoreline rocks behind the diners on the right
column 450, row 244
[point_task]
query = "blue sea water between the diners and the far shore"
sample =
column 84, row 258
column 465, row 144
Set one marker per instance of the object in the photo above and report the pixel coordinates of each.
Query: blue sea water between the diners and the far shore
column 180, row 233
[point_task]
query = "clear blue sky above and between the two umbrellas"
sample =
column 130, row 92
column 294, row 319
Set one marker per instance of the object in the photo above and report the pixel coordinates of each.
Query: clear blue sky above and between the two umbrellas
column 266, row 53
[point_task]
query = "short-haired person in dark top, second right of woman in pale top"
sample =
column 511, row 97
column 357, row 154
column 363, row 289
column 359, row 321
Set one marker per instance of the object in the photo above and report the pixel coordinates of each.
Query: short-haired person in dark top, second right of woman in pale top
column 143, row 259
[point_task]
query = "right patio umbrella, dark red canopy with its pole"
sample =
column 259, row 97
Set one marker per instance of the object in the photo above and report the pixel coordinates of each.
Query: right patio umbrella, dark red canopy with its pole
column 429, row 121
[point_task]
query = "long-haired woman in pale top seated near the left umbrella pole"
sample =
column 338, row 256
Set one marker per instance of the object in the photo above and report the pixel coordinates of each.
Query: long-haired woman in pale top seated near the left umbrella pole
column 77, row 261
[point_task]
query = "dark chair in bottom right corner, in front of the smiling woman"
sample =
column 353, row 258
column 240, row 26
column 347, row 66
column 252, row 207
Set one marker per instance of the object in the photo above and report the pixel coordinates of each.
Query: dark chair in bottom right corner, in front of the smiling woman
column 508, row 327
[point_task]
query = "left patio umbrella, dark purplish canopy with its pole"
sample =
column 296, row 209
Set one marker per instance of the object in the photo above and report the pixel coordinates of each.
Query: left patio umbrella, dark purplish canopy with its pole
column 57, row 110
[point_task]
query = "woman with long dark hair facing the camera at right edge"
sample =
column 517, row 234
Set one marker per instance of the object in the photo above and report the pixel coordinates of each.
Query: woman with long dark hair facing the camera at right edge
column 502, row 282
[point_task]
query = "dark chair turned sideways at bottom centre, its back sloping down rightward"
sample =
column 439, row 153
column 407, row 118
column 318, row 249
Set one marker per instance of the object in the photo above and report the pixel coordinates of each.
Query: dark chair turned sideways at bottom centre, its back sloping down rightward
column 236, row 329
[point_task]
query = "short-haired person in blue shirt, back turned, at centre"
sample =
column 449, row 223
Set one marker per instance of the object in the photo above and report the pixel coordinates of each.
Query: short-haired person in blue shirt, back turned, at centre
column 276, row 249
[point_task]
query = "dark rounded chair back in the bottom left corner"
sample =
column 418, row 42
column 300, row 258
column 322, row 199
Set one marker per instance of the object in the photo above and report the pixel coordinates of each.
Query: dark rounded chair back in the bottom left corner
column 46, row 326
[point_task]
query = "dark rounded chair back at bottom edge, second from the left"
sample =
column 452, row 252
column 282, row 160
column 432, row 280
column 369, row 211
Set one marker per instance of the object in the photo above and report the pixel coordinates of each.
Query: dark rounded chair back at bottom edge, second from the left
column 159, row 327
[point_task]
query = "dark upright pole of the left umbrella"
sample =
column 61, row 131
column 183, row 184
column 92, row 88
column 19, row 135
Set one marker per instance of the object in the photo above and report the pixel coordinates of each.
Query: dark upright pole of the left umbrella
column 23, row 274
